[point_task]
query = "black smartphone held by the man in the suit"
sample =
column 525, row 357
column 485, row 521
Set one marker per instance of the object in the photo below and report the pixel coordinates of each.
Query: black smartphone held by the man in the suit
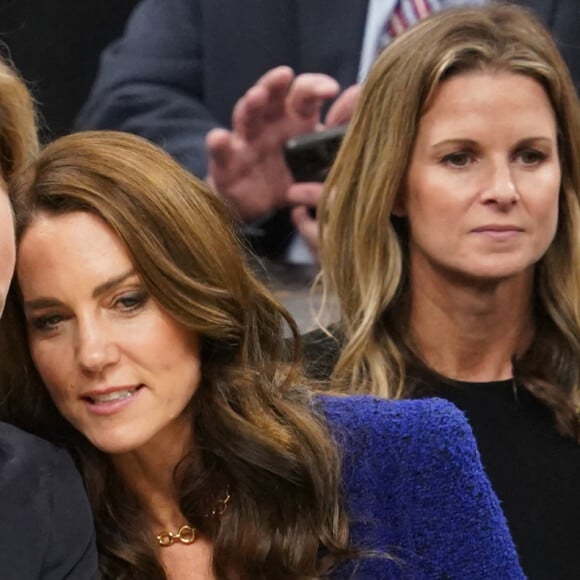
column 310, row 156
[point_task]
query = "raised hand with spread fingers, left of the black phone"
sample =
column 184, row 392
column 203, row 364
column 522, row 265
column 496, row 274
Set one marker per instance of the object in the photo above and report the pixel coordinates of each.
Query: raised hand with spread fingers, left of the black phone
column 247, row 163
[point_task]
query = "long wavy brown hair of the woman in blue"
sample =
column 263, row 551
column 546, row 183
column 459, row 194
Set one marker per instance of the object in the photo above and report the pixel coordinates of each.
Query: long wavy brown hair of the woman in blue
column 253, row 428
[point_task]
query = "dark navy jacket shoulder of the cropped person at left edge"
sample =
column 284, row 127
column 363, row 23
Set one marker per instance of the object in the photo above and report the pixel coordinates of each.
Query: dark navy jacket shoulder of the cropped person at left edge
column 46, row 527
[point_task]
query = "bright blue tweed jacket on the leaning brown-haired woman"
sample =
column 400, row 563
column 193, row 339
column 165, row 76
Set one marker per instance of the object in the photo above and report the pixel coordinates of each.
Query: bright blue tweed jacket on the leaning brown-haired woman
column 416, row 493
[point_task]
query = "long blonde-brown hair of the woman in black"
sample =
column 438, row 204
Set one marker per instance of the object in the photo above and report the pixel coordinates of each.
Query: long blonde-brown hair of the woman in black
column 364, row 247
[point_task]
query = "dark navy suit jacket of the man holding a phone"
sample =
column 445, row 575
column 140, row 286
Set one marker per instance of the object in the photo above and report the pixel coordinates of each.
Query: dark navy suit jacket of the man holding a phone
column 182, row 64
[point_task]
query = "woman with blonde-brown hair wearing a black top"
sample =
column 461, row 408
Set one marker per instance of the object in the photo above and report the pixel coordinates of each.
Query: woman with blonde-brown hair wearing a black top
column 451, row 242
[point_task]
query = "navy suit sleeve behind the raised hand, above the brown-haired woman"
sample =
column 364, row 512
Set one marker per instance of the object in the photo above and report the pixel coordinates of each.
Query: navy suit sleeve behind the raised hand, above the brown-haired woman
column 150, row 82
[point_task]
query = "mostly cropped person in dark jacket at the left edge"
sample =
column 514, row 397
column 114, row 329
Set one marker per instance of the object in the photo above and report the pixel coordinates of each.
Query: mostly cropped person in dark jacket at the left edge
column 46, row 529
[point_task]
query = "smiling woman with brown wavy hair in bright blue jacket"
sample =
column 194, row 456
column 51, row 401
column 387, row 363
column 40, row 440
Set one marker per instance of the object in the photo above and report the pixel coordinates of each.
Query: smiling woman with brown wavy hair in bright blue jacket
column 154, row 351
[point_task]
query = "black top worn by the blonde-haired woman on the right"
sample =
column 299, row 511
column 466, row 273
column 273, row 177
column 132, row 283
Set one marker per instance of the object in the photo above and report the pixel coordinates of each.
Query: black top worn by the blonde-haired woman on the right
column 534, row 471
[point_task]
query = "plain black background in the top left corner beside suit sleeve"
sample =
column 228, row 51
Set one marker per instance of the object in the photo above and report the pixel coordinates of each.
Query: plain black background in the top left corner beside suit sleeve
column 55, row 44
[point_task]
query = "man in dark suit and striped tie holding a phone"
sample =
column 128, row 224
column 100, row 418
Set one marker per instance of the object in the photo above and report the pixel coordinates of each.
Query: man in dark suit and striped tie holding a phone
column 181, row 67
